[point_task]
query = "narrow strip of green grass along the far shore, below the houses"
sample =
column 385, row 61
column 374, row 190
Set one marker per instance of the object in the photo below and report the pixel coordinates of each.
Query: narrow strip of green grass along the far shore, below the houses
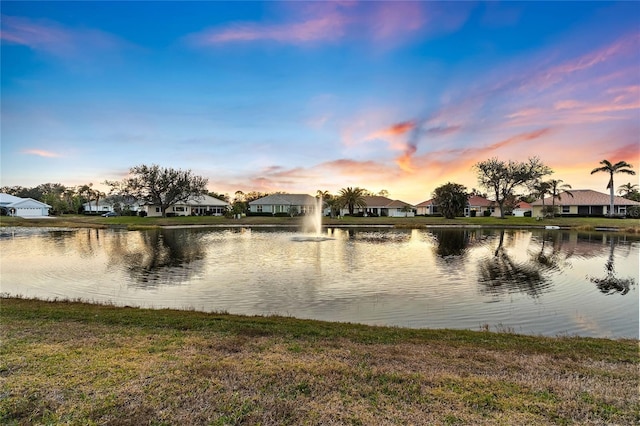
column 132, row 222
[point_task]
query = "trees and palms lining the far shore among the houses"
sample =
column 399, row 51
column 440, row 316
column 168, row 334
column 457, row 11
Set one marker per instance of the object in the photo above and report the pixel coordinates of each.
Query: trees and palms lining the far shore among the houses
column 504, row 181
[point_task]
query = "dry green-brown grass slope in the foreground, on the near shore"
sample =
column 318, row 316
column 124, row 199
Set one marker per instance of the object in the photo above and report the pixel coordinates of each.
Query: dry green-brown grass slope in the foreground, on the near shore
column 88, row 364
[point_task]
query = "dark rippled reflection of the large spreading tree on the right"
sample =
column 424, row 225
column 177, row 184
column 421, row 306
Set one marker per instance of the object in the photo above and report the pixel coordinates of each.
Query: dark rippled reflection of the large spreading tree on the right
column 500, row 274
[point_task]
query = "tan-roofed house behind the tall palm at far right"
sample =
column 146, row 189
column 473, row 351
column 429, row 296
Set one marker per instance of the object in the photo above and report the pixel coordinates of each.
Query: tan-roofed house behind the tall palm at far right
column 585, row 202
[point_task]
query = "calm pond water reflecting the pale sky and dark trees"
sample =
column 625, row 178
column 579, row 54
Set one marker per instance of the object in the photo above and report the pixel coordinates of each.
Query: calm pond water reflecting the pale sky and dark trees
column 533, row 282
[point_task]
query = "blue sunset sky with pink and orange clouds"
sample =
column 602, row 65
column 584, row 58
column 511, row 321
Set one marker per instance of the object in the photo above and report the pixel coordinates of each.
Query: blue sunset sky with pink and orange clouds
column 306, row 96
